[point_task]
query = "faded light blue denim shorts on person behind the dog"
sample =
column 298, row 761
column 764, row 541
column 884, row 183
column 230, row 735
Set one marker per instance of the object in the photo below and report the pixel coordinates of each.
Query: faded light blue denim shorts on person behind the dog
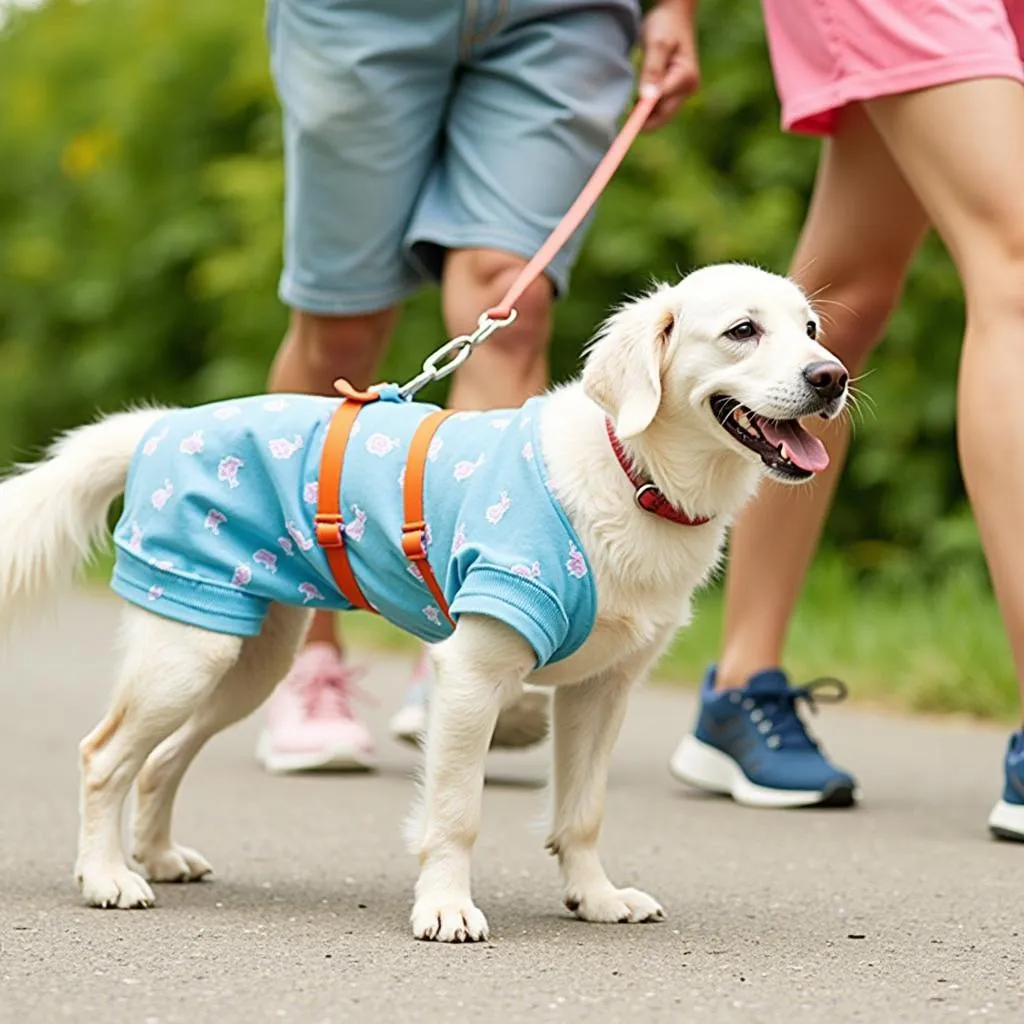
column 417, row 126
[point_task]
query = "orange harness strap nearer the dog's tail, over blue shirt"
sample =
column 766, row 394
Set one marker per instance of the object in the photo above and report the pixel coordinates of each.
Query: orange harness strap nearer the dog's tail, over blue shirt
column 329, row 523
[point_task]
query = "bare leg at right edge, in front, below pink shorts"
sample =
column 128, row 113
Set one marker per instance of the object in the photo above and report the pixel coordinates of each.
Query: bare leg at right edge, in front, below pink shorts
column 962, row 148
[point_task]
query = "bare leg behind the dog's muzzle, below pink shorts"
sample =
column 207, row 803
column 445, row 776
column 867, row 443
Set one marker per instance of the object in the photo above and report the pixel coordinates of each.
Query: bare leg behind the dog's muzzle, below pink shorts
column 862, row 232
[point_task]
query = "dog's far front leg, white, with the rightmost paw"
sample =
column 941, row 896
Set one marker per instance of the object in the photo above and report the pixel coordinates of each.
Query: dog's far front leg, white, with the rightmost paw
column 587, row 719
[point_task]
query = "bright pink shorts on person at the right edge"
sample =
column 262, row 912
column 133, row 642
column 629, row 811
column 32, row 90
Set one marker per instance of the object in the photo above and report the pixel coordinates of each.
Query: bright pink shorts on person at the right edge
column 828, row 54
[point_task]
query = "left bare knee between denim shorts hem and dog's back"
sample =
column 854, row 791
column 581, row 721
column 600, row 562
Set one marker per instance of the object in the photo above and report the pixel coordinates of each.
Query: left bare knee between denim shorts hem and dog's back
column 330, row 348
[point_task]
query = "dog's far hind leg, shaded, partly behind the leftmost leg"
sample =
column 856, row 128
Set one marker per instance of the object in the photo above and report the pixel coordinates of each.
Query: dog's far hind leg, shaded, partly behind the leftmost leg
column 265, row 660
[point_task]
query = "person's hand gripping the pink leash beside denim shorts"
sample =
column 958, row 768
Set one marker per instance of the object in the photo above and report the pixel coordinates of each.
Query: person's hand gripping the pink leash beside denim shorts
column 670, row 57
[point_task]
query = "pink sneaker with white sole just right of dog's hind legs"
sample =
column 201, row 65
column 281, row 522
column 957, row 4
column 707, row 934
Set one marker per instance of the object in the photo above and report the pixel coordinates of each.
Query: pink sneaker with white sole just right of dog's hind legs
column 311, row 726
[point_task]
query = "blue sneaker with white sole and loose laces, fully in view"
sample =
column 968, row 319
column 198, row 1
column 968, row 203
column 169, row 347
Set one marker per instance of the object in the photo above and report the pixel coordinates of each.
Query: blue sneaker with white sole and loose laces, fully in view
column 752, row 745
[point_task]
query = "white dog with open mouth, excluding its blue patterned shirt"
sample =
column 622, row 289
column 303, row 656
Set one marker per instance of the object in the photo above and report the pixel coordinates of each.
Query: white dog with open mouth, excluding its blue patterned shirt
column 700, row 387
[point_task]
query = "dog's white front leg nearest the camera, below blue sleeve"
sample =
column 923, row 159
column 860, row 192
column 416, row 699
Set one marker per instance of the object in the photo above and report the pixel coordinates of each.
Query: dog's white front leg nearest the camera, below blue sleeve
column 477, row 669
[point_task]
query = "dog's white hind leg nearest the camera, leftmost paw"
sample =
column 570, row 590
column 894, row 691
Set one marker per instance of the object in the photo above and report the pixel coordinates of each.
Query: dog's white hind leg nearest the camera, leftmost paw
column 168, row 670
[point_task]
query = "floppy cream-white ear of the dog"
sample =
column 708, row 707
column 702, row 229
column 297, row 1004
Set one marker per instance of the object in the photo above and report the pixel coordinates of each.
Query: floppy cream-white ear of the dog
column 624, row 366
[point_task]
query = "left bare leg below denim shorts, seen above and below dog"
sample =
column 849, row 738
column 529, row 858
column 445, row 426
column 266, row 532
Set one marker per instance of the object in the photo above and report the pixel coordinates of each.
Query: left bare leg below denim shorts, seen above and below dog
column 316, row 353
